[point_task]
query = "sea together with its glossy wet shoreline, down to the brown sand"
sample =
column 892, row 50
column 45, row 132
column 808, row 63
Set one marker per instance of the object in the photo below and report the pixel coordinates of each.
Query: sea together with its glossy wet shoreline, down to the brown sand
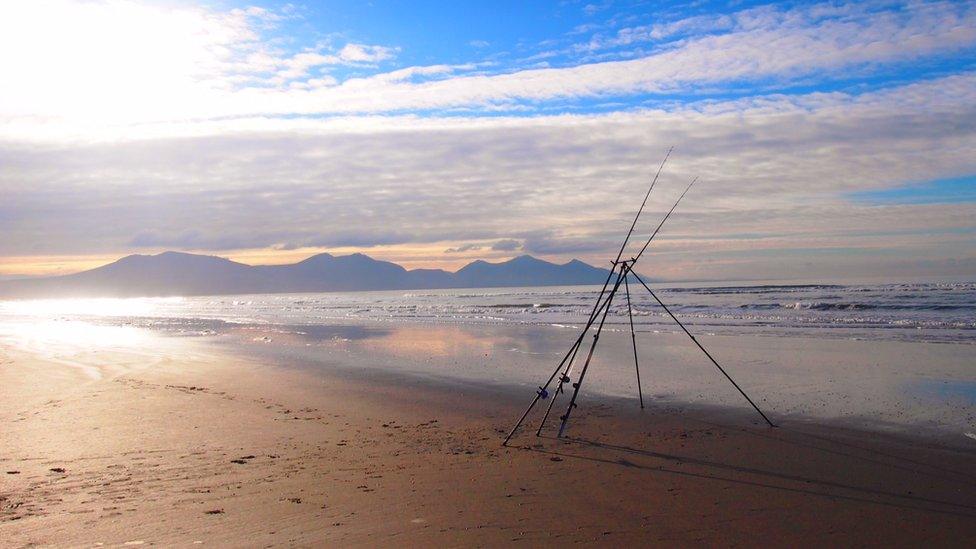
column 891, row 356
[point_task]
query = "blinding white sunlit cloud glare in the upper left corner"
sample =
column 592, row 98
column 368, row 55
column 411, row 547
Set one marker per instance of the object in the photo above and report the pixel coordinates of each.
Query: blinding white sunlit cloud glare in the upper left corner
column 129, row 62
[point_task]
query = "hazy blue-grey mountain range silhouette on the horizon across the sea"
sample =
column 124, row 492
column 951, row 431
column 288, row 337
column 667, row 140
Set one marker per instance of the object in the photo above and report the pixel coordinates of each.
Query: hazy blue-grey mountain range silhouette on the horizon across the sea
column 175, row 273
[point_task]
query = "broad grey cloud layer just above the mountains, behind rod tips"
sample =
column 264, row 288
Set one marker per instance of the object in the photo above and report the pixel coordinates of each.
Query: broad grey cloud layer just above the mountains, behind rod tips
column 776, row 173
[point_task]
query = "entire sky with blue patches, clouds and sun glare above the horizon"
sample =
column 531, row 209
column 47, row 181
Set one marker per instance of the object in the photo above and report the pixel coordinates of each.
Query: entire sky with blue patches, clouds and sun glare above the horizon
column 832, row 140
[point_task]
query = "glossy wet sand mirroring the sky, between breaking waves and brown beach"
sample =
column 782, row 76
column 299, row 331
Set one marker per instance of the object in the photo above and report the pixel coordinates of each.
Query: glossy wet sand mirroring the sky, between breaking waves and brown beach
column 894, row 383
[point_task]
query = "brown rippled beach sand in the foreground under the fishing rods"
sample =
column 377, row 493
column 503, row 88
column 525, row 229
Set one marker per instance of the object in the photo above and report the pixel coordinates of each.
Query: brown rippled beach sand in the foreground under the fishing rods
column 229, row 451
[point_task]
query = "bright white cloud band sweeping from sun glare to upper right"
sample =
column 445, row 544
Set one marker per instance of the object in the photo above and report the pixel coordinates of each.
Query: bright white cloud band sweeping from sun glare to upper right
column 183, row 66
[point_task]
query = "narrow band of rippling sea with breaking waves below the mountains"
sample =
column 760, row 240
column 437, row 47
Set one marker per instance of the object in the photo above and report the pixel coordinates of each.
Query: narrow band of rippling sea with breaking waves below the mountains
column 942, row 312
